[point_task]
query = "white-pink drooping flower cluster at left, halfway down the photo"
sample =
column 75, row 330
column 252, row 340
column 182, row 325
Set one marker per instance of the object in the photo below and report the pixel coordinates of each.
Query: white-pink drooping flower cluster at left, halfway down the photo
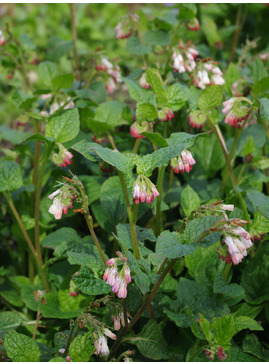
column 62, row 200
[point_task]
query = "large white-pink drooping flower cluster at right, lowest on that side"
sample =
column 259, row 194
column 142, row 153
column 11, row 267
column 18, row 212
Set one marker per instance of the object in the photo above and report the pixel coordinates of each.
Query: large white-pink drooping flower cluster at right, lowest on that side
column 236, row 240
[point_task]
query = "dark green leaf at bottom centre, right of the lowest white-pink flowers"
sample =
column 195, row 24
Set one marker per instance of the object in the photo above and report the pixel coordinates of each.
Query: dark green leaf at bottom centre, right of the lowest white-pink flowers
column 150, row 342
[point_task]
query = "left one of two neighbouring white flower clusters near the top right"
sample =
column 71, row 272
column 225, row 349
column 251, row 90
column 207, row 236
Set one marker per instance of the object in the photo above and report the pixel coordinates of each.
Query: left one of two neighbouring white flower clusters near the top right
column 183, row 58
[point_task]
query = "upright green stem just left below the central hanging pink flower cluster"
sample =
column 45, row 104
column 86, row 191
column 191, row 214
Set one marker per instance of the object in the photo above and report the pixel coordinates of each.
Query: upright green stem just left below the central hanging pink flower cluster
column 132, row 215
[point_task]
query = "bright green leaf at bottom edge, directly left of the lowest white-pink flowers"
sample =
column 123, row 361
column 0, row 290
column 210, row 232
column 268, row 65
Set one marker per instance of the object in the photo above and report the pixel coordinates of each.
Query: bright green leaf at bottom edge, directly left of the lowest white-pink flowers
column 82, row 347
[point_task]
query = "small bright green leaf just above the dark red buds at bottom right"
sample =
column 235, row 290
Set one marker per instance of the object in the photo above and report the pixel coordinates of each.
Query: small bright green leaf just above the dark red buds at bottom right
column 223, row 329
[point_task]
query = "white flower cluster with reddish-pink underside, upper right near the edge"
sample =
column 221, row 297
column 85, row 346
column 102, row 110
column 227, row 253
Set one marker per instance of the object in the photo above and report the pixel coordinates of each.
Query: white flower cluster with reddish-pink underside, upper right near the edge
column 235, row 113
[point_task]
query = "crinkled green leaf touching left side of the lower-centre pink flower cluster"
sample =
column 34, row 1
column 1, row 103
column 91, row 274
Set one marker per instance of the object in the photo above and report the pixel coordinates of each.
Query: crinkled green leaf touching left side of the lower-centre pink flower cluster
column 89, row 284
